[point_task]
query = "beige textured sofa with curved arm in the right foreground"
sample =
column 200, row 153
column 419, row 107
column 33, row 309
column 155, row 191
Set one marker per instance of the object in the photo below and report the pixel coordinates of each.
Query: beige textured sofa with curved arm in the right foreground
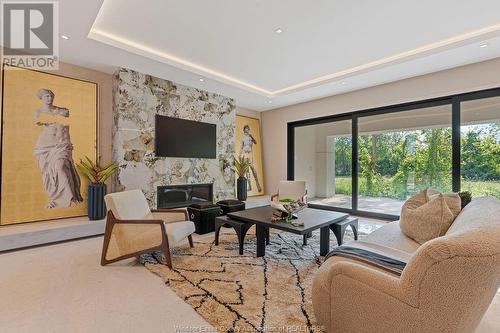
column 446, row 286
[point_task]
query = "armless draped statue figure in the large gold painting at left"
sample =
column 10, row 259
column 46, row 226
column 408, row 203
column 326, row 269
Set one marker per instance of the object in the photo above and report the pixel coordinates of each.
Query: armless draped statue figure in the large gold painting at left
column 54, row 152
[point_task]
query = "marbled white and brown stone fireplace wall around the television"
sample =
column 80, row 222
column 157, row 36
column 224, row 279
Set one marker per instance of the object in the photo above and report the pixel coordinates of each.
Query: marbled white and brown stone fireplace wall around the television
column 137, row 99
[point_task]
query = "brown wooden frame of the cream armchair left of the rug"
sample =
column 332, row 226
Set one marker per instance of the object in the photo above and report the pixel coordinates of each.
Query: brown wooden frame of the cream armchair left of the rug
column 111, row 221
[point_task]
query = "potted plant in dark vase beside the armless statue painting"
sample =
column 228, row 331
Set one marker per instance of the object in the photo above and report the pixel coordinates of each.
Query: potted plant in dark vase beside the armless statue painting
column 97, row 175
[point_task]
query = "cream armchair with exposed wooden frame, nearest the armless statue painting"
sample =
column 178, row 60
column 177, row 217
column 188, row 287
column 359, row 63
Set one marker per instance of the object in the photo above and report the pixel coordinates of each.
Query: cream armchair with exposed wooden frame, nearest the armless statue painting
column 133, row 229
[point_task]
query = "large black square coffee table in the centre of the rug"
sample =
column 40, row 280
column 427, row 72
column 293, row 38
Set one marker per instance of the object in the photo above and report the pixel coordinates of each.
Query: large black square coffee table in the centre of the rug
column 312, row 218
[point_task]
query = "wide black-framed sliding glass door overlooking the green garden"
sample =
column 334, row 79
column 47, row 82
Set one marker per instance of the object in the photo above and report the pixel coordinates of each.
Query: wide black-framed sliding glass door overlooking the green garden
column 369, row 162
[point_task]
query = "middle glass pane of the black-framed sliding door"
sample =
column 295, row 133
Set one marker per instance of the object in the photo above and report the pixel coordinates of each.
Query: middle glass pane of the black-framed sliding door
column 402, row 153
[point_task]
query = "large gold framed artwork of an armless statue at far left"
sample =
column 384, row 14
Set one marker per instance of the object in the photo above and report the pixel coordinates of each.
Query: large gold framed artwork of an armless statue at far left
column 49, row 122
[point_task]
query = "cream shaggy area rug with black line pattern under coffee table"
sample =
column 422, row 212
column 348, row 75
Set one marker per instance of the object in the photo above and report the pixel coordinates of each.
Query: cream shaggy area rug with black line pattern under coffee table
column 243, row 293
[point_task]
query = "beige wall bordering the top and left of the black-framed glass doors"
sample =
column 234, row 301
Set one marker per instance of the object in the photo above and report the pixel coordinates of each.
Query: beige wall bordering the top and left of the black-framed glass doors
column 468, row 78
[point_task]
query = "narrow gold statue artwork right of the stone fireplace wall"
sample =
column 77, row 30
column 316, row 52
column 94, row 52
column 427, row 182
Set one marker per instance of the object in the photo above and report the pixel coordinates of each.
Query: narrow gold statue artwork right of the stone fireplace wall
column 249, row 145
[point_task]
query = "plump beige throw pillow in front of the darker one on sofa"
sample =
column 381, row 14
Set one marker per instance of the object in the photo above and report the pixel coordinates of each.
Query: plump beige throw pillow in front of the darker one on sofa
column 428, row 215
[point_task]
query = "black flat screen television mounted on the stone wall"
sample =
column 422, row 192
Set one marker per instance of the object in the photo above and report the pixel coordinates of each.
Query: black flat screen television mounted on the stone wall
column 176, row 137
